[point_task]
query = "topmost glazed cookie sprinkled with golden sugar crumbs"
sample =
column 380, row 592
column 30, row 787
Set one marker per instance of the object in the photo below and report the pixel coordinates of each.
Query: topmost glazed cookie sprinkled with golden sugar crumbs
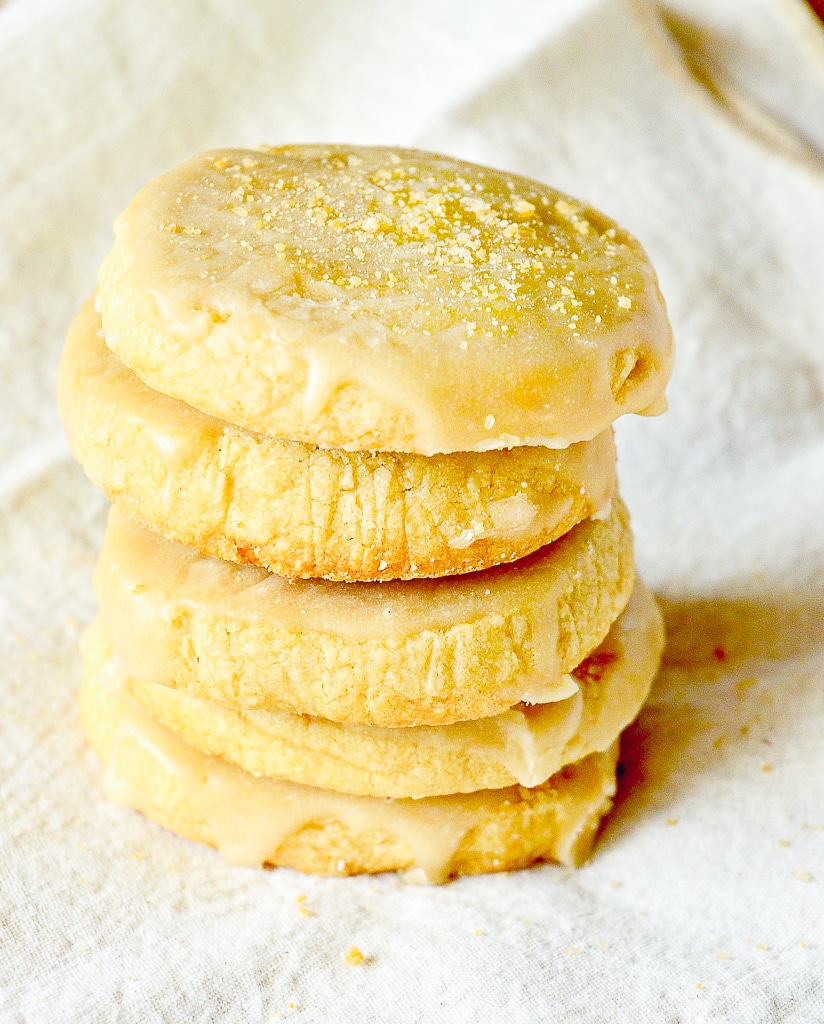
column 384, row 300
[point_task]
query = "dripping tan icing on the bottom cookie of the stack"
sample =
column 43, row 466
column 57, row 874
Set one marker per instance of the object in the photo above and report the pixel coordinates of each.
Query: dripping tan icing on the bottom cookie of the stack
column 249, row 820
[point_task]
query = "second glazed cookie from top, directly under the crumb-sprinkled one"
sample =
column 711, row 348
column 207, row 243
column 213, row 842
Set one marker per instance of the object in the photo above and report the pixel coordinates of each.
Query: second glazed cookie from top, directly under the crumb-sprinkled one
column 305, row 511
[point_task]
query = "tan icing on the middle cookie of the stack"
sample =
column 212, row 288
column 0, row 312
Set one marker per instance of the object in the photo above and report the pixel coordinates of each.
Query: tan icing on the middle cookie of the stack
column 156, row 596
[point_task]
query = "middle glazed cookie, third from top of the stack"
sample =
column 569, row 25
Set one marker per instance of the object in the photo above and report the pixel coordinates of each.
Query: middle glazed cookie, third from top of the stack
column 404, row 653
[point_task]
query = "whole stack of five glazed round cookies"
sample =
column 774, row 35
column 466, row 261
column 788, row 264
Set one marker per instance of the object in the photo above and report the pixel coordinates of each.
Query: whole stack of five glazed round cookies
column 368, row 595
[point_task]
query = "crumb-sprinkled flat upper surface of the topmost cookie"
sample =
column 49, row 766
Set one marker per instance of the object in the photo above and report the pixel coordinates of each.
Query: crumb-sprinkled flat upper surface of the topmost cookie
column 453, row 245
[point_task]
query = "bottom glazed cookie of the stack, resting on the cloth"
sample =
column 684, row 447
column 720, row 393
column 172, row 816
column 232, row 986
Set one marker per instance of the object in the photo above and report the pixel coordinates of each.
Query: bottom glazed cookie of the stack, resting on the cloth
column 257, row 822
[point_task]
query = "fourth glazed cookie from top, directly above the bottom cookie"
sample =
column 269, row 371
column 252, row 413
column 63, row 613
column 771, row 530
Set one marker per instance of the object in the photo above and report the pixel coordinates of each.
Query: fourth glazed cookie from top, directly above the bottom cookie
column 525, row 745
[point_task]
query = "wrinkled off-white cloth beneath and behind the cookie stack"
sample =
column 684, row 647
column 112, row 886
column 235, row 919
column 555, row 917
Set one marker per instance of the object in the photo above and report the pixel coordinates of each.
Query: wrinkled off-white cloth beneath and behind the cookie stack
column 703, row 133
